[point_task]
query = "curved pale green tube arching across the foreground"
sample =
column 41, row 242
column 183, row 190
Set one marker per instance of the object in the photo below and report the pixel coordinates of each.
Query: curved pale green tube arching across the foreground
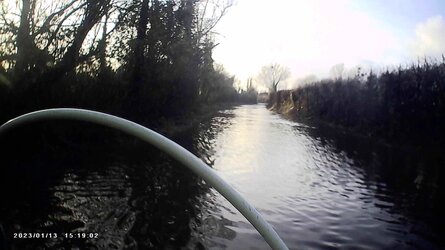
column 166, row 145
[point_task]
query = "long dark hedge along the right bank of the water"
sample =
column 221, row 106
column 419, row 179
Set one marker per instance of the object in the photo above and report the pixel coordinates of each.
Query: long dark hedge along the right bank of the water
column 404, row 104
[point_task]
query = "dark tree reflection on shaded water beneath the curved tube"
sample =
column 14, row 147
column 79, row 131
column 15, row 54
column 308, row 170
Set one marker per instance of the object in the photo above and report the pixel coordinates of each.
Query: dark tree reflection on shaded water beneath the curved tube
column 131, row 195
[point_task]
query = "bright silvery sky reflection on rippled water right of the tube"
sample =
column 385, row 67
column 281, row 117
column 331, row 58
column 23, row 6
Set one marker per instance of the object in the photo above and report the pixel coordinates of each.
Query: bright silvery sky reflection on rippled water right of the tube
column 325, row 197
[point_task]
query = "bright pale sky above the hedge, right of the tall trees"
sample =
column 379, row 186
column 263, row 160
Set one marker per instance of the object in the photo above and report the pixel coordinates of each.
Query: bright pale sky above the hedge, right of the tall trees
column 311, row 36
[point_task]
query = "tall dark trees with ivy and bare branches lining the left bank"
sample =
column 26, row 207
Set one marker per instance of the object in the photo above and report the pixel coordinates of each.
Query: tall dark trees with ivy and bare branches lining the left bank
column 143, row 59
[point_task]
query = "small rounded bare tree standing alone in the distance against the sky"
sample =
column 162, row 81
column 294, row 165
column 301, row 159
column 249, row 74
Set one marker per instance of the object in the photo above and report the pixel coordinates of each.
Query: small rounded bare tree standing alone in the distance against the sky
column 271, row 75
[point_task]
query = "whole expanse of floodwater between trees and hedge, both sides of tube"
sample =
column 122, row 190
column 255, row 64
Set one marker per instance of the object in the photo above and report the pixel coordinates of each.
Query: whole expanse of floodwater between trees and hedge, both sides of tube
column 319, row 188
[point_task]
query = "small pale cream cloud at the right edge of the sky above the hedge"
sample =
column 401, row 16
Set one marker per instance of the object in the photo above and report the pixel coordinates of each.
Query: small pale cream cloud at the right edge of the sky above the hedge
column 430, row 38
